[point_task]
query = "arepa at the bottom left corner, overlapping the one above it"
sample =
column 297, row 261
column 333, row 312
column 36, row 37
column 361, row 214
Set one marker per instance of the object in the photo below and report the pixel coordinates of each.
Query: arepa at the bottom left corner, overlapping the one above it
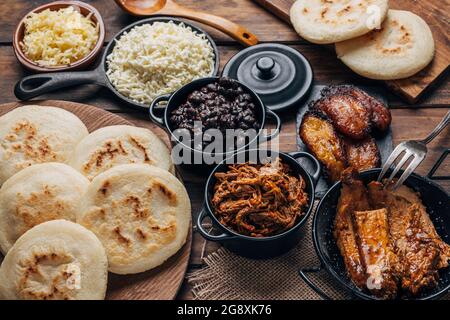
column 56, row 260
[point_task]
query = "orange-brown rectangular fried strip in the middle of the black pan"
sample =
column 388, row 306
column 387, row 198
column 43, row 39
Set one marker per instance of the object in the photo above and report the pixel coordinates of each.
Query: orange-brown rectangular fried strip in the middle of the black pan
column 376, row 253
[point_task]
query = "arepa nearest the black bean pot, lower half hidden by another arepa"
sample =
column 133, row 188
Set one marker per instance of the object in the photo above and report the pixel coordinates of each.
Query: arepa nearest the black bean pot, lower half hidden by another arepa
column 115, row 145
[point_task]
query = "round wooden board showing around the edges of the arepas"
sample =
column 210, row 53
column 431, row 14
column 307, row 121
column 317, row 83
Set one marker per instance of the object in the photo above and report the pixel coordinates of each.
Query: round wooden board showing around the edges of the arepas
column 161, row 283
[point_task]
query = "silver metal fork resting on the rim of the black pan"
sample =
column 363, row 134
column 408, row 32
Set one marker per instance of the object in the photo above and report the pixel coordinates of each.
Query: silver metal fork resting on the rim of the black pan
column 417, row 150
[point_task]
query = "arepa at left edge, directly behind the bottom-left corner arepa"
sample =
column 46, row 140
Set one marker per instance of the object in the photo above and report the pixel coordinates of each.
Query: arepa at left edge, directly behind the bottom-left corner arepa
column 40, row 193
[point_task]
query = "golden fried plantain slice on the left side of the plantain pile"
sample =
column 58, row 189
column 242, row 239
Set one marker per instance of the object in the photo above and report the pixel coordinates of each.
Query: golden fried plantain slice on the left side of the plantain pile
column 319, row 136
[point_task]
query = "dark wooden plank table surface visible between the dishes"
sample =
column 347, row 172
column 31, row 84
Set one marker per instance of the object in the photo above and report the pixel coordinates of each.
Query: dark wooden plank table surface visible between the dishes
column 409, row 121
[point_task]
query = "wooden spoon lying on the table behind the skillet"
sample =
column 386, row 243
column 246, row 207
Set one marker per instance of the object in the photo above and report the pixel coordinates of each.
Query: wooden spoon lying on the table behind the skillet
column 170, row 8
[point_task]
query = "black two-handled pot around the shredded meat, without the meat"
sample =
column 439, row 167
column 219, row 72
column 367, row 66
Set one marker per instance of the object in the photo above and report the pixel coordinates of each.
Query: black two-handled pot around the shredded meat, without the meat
column 266, row 247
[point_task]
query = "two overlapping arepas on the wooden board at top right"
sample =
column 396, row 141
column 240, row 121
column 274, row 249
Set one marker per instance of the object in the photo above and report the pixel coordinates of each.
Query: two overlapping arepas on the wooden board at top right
column 371, row 39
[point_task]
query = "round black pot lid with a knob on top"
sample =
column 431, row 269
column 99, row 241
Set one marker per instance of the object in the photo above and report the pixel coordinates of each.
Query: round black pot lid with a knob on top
column 280, row 75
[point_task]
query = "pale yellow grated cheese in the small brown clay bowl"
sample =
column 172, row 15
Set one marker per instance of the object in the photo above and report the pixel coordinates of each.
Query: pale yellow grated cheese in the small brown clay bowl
column 62, row 37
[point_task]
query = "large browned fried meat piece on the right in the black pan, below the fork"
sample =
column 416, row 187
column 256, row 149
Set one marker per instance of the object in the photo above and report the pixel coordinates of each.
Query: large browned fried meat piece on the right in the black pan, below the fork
column 419, row 248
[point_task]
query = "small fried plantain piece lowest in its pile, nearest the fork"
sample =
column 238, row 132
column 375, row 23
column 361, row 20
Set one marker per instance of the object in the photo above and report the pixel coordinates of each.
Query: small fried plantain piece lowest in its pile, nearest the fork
column 362, row 154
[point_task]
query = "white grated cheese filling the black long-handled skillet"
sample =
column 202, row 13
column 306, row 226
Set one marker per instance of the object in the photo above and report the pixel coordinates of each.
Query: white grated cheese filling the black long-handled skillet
column 155, row 59
